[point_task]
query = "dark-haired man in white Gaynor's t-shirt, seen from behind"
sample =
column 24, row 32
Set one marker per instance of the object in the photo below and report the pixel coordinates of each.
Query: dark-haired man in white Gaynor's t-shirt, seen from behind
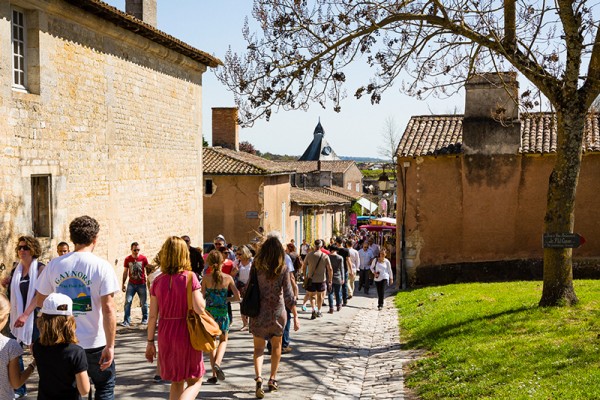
column 91, row 283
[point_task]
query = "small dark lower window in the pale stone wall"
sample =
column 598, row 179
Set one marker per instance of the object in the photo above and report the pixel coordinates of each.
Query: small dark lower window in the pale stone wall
column 41, row 203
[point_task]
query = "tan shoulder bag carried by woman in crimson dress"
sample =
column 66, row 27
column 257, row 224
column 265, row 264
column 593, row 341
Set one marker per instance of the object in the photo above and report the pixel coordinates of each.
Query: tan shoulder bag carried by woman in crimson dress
column 203, row 328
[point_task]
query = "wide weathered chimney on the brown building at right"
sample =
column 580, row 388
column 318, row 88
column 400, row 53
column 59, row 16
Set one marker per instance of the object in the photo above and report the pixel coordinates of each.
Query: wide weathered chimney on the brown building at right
column 491, row 124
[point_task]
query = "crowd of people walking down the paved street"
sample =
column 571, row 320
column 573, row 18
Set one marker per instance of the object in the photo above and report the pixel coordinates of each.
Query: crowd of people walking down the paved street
column 66, row 310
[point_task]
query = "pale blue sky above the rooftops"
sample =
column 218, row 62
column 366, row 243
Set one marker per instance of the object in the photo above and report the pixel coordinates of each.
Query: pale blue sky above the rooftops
column 214, row 25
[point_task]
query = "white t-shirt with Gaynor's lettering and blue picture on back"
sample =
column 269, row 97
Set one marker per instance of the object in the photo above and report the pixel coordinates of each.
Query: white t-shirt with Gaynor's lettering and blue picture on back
column 85, row 278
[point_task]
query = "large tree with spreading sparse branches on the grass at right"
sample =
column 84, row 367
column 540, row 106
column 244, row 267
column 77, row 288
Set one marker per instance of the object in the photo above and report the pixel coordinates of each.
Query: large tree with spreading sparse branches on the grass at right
column 301, row 54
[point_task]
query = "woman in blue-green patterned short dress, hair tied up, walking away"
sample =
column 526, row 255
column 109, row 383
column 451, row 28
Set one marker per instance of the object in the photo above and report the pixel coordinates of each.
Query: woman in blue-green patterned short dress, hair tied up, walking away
column 214, row 288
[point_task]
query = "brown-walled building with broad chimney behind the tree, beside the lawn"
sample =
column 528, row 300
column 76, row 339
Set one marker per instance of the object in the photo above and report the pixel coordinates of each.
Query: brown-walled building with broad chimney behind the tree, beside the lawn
column 476, row 187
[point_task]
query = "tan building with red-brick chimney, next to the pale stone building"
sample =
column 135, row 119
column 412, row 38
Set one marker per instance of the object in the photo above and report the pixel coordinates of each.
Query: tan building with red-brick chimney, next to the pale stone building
column 242, row 192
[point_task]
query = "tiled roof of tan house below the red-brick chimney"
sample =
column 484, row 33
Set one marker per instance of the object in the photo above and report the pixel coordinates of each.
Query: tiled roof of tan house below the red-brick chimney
column 221, row 161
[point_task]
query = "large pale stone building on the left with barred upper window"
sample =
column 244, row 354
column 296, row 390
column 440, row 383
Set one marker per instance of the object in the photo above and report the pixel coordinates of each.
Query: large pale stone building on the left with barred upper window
column 101, row 115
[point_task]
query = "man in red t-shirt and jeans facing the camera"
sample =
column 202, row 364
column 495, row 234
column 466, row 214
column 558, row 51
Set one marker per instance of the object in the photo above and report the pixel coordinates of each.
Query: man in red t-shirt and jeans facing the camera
column 135, row 269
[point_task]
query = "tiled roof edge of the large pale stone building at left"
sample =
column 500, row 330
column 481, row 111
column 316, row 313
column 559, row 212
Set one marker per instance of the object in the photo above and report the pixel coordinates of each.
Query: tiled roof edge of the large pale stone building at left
column 141, row 28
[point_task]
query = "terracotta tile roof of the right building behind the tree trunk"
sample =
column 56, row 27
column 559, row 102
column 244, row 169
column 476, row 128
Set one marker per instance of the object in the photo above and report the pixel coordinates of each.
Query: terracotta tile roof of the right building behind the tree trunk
column 436, row 135
